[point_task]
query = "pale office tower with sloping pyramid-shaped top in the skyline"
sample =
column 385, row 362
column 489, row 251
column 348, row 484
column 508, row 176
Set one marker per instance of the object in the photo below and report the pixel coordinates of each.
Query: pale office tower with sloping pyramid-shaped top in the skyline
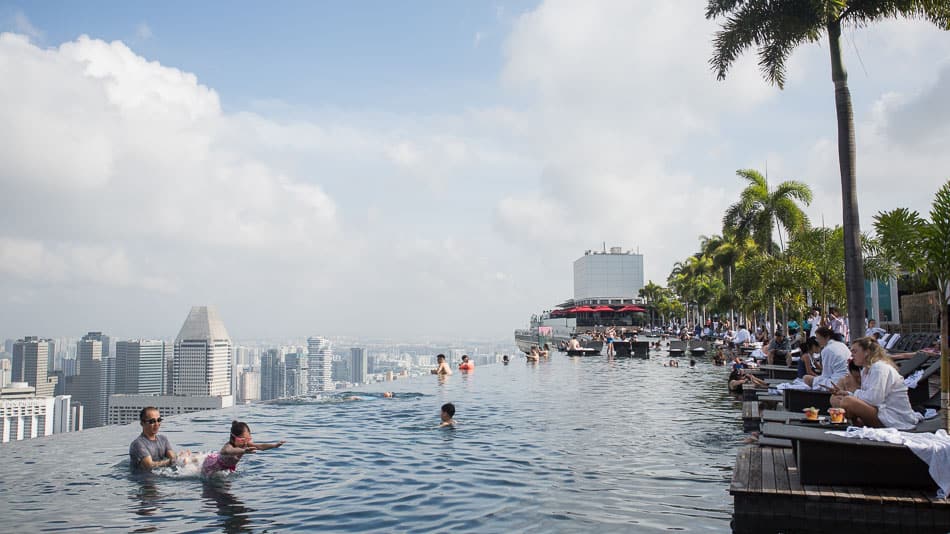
column 203, row 358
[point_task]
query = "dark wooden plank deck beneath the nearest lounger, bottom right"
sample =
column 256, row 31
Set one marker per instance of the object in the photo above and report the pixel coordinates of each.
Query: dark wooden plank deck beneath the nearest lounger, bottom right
column 769, row 497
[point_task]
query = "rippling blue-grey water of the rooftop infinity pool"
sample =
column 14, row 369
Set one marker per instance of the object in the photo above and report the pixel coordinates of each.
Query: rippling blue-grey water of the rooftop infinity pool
column 569, row 445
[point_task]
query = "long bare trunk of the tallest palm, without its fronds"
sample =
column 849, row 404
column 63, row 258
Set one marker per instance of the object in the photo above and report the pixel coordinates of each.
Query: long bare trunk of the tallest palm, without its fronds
column 853, row 264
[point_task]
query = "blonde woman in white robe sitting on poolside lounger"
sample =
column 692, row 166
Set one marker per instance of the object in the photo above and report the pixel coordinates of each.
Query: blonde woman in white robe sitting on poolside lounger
column 882, row 400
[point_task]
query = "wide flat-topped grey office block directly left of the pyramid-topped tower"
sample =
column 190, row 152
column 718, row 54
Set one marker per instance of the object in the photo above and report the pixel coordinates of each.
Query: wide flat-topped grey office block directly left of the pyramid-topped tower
column 140, row 367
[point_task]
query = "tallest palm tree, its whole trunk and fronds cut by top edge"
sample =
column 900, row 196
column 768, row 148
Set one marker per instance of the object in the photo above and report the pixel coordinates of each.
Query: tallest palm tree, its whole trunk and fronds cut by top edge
column 776, row 27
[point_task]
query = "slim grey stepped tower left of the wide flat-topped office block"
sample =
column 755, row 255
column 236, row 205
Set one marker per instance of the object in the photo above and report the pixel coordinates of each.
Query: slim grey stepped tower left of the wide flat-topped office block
column 92, row 391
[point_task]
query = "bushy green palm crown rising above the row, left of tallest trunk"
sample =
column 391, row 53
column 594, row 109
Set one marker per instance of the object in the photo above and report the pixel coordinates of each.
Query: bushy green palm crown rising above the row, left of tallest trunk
column 761, row 209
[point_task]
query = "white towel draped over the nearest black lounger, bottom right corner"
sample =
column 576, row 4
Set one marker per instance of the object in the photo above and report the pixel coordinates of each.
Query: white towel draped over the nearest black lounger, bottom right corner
column 933, row 449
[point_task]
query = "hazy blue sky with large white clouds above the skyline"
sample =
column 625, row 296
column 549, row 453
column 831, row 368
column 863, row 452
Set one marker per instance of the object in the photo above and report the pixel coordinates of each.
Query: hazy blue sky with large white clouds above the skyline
column 421, row 169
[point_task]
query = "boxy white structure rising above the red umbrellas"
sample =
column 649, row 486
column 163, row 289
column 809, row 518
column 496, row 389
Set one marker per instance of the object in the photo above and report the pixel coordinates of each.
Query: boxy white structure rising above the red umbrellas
column 614, row 277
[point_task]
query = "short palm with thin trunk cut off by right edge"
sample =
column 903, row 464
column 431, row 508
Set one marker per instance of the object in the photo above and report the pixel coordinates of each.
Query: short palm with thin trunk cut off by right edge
column 920, row 247
